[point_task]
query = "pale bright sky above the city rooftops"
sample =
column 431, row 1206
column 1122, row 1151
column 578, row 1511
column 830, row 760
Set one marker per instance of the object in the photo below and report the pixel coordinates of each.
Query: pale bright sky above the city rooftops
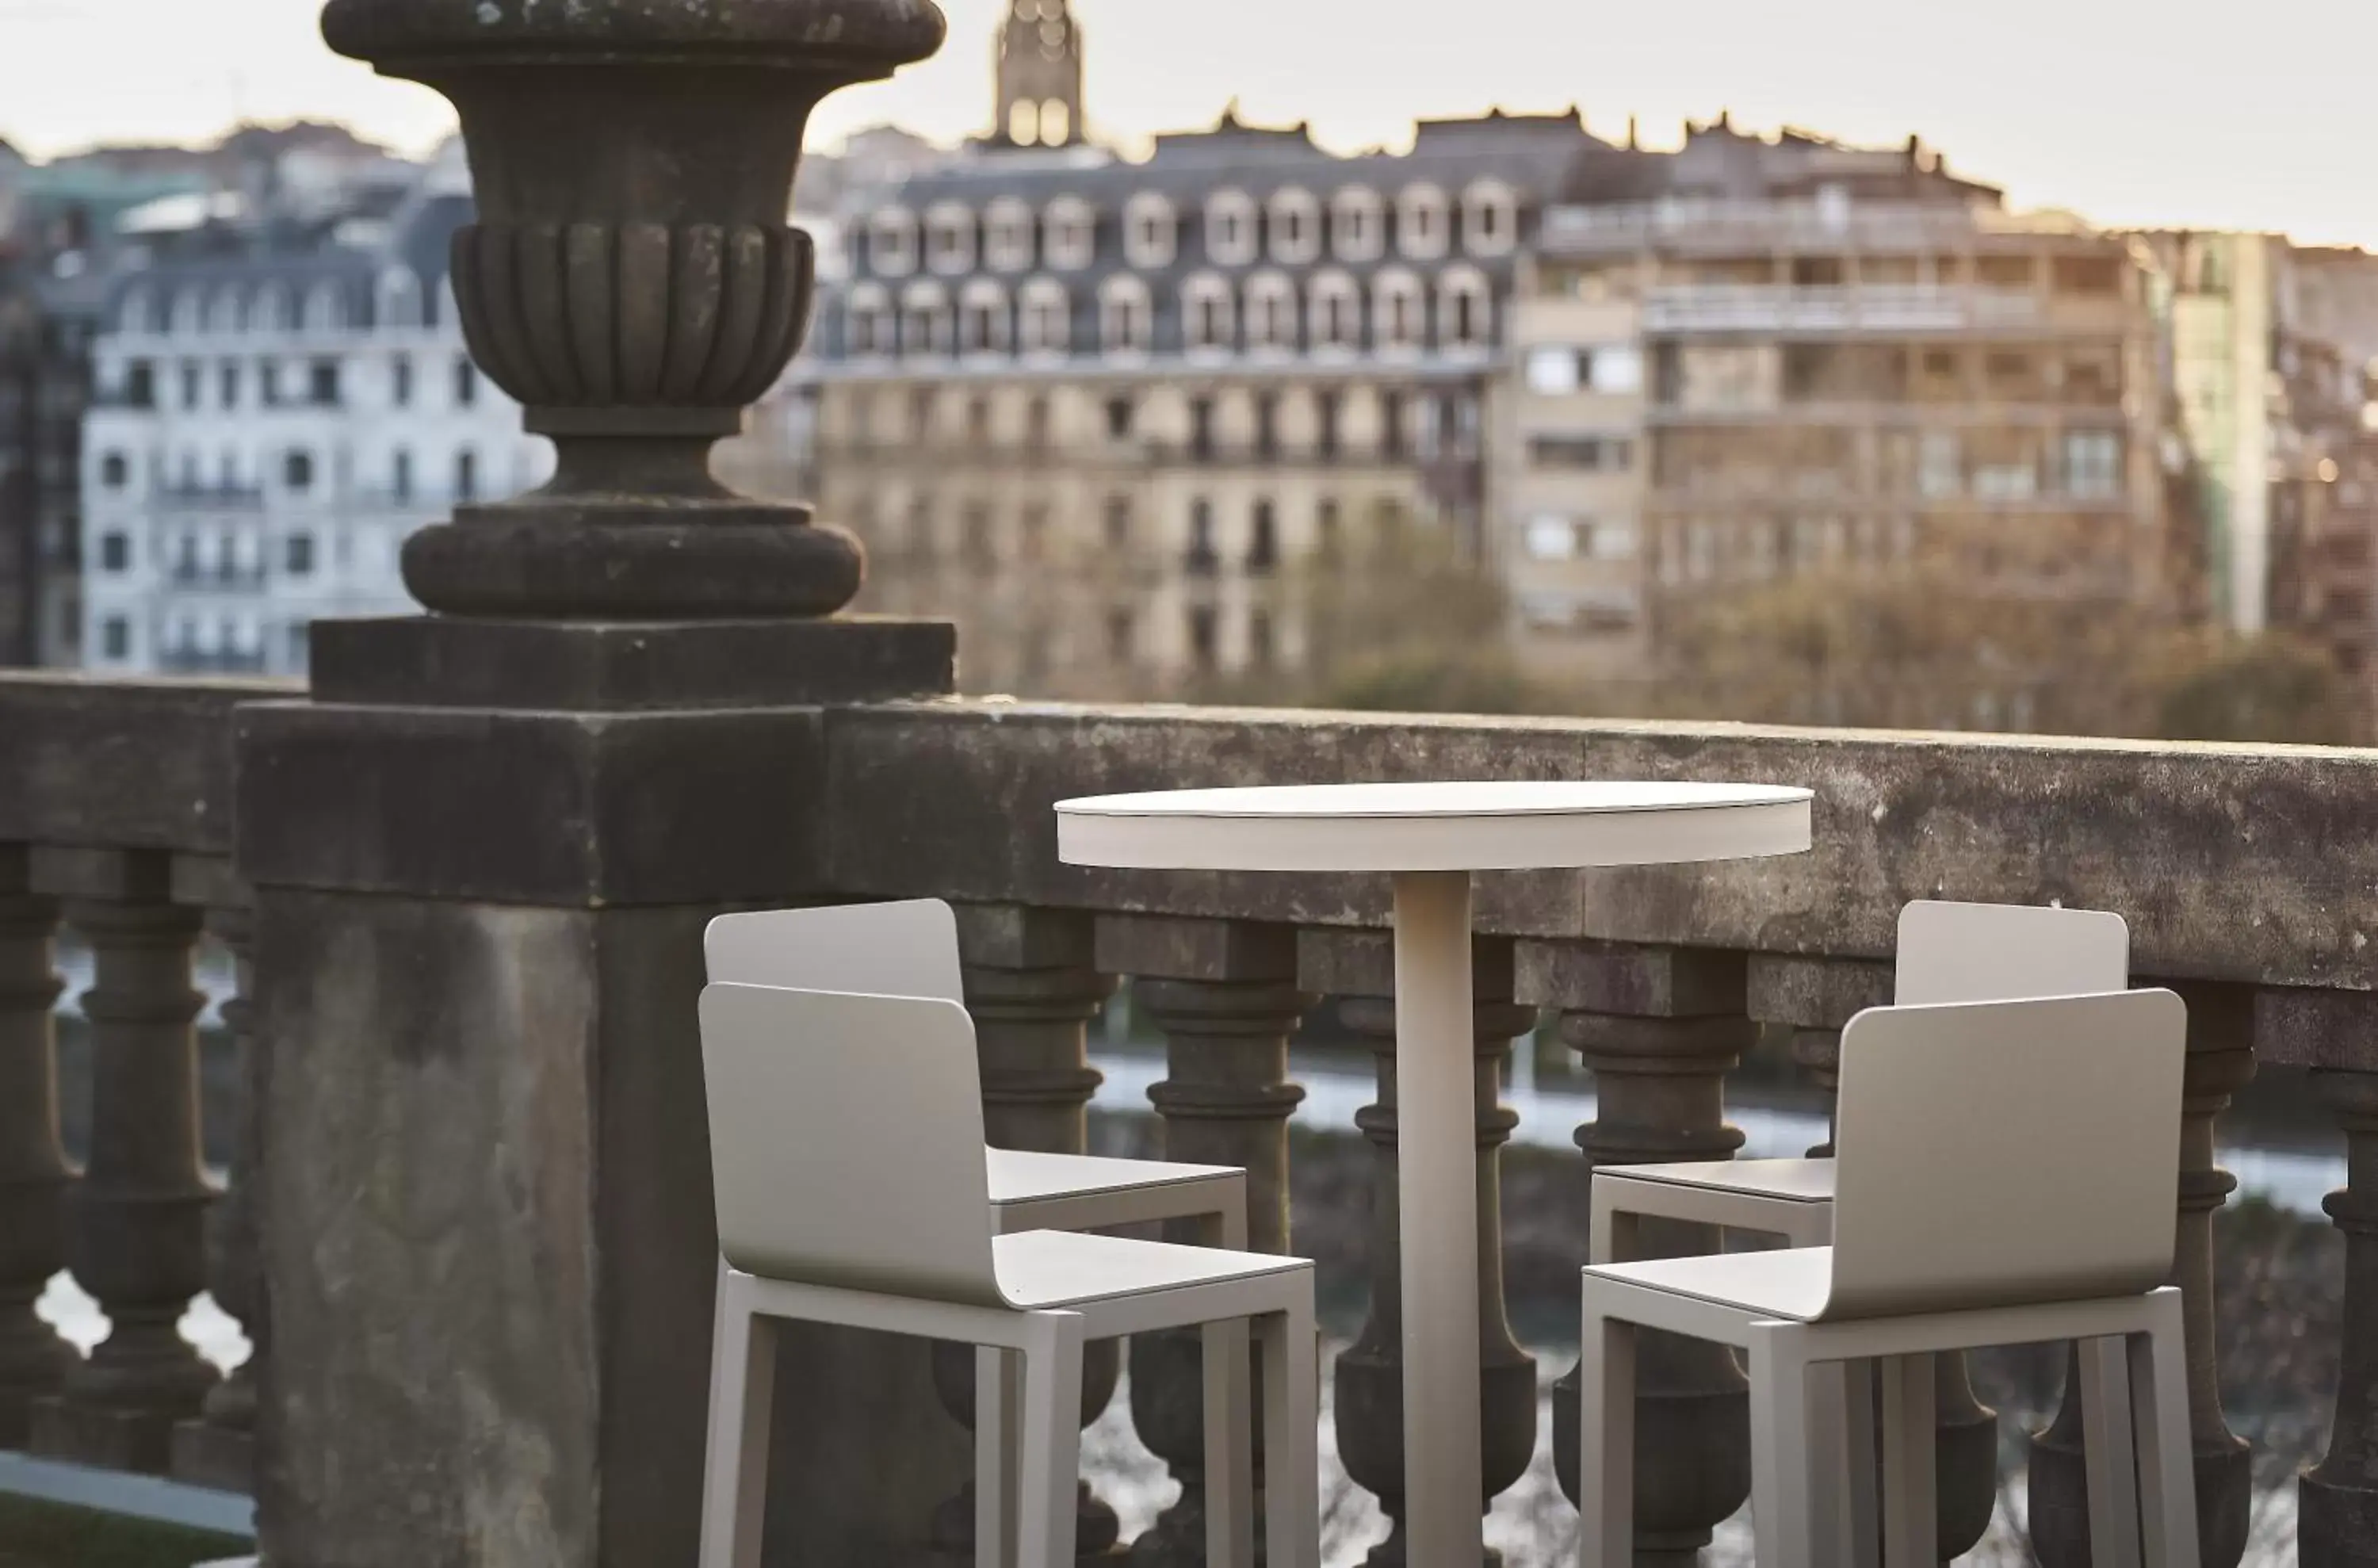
column 2134, row 113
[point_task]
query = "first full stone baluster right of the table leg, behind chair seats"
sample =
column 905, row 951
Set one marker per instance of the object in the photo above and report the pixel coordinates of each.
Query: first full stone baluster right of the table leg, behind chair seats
column 1661, row 1027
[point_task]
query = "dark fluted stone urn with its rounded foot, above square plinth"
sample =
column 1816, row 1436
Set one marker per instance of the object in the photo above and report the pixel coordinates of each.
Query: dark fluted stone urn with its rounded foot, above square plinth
column 634, row 282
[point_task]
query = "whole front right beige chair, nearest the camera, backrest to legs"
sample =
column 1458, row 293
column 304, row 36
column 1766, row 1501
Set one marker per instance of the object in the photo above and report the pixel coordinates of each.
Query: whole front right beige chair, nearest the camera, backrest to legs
column 2006, row 1174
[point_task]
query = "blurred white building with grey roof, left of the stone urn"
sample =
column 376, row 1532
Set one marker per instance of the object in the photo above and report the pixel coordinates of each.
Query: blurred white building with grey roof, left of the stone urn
column 275, row 415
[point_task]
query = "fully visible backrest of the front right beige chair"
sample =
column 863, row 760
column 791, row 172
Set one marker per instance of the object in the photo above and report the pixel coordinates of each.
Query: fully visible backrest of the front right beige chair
column 2001, row 1153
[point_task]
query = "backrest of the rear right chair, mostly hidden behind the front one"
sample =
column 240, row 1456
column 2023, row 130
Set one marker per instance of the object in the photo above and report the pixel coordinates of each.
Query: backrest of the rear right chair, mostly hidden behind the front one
column 1996, row 953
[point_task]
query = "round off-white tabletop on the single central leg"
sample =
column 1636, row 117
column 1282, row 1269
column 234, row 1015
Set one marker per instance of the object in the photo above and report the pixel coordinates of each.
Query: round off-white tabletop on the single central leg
column 1435, row 827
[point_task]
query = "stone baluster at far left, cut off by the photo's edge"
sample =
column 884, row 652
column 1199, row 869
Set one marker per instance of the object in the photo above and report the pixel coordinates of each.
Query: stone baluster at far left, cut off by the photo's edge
column 32, row 1162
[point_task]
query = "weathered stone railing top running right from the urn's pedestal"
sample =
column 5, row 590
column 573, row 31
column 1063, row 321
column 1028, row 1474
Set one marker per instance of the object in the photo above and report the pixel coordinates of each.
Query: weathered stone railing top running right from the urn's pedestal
column 2229, row 863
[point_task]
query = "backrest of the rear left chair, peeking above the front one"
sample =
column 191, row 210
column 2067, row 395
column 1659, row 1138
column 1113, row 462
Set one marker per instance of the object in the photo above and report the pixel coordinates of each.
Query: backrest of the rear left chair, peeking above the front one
column 879, row 951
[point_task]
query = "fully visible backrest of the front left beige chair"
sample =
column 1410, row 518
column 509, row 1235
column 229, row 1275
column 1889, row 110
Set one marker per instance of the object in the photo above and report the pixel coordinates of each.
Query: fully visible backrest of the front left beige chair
column 848, row 1141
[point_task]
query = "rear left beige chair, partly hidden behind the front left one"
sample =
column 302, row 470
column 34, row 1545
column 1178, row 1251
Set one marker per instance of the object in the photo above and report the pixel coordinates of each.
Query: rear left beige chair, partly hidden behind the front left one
column 912, row 951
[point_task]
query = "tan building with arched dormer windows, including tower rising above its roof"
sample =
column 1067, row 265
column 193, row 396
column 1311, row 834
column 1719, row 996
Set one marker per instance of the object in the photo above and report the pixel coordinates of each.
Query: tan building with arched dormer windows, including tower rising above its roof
column 1100, row 413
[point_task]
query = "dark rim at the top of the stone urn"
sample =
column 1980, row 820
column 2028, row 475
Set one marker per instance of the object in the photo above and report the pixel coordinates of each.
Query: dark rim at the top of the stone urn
column 876, row 35
